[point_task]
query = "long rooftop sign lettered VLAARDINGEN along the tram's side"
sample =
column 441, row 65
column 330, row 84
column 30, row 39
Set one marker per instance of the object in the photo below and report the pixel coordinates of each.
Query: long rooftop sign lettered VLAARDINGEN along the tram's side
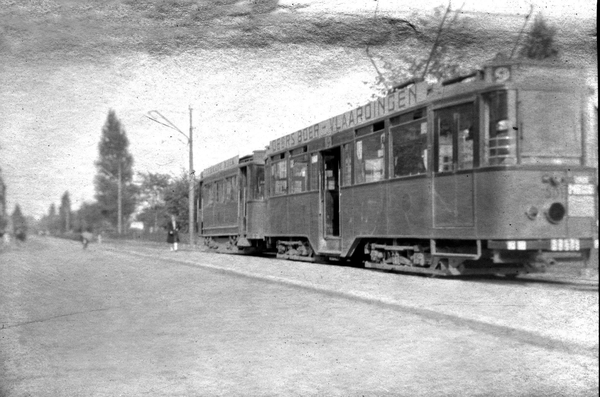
column 398, row 100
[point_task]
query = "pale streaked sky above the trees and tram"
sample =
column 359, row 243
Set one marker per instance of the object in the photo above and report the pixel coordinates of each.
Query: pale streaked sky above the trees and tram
column 251, row 70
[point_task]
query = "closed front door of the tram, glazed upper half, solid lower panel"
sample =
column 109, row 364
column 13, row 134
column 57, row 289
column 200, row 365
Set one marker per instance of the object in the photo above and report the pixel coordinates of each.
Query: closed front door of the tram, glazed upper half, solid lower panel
column 455, row 141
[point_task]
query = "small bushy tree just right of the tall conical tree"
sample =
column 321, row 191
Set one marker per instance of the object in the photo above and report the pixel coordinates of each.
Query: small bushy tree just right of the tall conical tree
column 152, row 196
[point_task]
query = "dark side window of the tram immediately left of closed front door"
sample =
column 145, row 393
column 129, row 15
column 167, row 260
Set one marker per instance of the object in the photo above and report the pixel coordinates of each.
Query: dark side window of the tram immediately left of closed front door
column 409, row 143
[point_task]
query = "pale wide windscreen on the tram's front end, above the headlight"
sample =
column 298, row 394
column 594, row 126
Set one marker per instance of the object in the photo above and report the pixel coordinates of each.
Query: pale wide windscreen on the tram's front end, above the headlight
column 551, row 127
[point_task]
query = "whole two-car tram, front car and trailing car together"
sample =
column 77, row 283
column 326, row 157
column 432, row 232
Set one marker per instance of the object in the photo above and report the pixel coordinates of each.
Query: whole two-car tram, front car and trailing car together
column 494, row 172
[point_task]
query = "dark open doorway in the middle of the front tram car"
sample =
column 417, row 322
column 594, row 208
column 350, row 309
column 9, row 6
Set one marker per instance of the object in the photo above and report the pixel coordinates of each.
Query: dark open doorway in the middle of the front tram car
column 330, row 192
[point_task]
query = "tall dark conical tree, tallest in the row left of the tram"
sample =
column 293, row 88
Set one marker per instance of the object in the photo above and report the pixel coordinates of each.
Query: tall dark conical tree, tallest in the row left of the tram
column 115, row 192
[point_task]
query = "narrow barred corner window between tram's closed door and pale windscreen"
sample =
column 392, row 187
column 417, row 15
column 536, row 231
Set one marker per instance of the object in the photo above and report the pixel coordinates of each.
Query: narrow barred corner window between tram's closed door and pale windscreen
column 501, row 136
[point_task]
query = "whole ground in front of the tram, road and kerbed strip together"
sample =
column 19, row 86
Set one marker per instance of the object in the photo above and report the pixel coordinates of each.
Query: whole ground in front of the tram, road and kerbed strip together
column 139, row 320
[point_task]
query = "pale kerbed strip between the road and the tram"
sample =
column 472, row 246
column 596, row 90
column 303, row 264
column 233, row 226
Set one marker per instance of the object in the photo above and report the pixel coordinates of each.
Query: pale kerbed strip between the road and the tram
column 538, row 310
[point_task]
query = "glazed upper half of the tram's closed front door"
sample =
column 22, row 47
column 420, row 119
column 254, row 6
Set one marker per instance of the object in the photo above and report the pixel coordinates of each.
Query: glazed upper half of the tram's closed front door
column 455, row 133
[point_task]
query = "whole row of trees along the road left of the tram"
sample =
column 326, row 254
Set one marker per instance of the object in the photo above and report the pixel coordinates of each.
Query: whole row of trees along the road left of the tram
column 155, row 196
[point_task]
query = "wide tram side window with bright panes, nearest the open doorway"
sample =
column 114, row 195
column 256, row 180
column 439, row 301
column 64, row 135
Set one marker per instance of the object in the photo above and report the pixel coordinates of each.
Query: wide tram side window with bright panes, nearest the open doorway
column 368, row 159
